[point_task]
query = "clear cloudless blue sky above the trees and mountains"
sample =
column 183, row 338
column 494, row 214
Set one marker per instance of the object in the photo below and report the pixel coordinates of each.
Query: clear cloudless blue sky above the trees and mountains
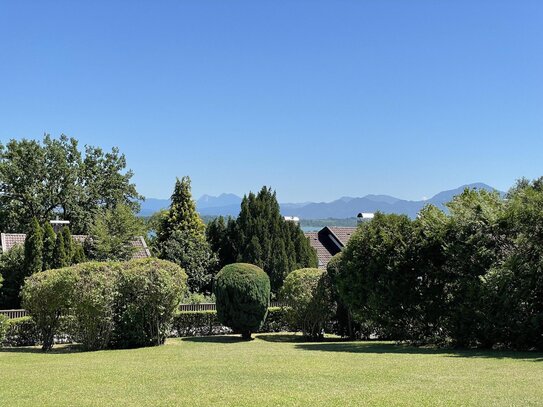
column 317, row 99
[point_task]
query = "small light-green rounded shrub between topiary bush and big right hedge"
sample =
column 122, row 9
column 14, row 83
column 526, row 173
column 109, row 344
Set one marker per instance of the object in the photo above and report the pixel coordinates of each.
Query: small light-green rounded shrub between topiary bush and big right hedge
column 307, row 294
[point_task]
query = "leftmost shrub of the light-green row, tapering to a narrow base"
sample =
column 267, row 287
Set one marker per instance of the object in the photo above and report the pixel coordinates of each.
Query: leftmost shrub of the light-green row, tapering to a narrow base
column 47, row 295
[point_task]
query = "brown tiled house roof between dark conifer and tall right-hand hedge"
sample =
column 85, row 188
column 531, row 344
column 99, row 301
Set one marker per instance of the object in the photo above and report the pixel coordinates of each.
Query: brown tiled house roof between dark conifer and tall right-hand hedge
column 329, row 241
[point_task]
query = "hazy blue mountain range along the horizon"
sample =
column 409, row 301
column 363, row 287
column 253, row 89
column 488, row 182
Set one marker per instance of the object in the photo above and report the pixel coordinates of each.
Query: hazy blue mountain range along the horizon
column 344, row 207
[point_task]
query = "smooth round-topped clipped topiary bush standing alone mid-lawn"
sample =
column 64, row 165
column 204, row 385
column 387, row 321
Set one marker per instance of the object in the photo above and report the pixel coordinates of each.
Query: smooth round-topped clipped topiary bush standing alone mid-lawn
column 243, row 296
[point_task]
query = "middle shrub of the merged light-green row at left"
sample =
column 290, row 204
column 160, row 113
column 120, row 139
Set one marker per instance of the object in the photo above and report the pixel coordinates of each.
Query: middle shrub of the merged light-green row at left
column 93, row 309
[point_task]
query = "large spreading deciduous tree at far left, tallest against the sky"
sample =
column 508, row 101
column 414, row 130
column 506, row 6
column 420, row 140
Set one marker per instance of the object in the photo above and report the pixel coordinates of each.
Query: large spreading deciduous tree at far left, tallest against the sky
column 53, row 177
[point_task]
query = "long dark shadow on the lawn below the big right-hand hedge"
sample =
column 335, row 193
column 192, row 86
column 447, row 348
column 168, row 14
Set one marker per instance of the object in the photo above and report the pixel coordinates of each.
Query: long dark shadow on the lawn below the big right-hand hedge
column 385, row 348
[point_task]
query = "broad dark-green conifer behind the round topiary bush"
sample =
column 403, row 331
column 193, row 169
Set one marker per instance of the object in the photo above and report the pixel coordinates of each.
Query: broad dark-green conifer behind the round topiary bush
column 261, row 236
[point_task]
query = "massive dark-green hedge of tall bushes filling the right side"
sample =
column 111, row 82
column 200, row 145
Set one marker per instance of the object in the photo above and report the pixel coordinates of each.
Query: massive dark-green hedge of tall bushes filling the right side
column 471, row 277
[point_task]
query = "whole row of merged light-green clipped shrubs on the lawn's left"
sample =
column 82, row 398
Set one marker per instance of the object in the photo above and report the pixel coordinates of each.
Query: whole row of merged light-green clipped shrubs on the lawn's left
column 118, row 305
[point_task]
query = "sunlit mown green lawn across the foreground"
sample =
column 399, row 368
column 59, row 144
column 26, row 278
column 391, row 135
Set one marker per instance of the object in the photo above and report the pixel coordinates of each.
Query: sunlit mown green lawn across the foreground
column 272, row 370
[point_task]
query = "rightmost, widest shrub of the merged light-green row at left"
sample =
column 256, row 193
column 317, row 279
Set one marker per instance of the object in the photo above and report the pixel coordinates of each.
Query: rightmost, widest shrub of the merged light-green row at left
column 148, row 294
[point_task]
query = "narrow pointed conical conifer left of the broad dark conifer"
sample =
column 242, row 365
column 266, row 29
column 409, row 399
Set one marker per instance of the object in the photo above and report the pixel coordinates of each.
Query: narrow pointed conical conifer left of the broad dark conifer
column 180, row 238
